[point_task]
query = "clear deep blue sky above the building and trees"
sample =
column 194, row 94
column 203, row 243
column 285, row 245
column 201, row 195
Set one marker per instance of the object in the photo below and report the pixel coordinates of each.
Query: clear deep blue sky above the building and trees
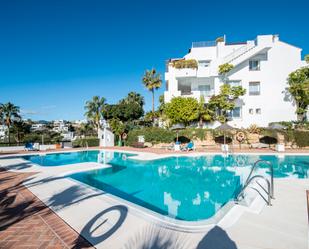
column 55, row 55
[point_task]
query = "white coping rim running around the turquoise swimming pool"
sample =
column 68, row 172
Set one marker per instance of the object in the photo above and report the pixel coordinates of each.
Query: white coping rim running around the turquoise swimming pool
column 223, row 216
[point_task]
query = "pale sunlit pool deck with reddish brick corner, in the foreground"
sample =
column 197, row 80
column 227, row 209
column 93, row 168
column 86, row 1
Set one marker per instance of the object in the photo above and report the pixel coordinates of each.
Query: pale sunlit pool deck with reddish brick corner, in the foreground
column 108, row 222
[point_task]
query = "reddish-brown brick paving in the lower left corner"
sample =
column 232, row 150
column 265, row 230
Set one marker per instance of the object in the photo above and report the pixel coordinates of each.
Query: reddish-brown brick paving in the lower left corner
column 25, row 222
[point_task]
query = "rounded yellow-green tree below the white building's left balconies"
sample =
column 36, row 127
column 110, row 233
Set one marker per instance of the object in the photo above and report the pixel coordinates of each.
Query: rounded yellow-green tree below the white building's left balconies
column 182, row 110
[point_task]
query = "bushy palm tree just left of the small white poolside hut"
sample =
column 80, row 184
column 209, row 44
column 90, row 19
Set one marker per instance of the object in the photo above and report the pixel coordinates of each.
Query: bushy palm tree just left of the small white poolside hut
column 94, row 111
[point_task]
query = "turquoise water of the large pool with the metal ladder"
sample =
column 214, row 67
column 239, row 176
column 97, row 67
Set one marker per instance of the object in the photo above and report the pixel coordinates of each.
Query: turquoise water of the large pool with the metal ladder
column 184, row 188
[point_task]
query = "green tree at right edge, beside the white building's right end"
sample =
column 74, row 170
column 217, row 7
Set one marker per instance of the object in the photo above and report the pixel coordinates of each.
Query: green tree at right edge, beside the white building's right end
column 298, row 82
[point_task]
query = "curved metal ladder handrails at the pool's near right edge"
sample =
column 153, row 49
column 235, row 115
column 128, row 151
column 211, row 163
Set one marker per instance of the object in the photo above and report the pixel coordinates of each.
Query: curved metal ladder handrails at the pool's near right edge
column 270, row 184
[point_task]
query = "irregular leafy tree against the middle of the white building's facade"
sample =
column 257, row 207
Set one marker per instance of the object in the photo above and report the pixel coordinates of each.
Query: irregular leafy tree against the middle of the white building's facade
column 224, row 102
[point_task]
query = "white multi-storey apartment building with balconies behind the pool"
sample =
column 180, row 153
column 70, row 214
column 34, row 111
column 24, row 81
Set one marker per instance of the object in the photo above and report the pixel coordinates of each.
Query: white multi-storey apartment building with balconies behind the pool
column 261, row 66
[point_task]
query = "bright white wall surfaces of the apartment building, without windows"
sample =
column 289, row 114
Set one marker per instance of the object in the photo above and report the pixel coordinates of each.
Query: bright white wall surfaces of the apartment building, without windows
column 275, row 66
